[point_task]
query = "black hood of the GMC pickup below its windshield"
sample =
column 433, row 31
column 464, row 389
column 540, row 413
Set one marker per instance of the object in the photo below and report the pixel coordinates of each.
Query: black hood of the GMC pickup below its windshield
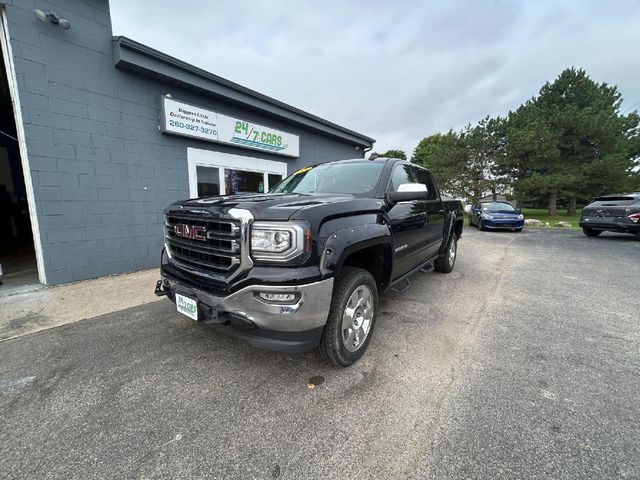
column 279, row 207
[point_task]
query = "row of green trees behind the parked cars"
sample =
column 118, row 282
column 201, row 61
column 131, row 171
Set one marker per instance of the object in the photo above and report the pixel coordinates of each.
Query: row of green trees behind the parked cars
column 565, row 146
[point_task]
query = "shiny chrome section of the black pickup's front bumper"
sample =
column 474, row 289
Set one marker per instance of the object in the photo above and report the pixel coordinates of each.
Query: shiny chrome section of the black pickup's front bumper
column 310, row 311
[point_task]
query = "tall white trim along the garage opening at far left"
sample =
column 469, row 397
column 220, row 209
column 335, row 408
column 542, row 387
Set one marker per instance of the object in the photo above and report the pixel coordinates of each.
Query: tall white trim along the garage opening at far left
column 7, row 53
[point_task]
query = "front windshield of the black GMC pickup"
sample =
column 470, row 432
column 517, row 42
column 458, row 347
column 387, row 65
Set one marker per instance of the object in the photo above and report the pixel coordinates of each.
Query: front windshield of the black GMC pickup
column 353, row 177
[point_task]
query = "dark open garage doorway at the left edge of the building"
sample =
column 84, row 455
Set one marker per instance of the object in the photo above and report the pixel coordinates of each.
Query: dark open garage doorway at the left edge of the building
column 18, row 265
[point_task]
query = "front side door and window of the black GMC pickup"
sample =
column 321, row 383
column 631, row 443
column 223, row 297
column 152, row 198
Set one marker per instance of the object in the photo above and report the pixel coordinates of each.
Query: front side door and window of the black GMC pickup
column 408, row 223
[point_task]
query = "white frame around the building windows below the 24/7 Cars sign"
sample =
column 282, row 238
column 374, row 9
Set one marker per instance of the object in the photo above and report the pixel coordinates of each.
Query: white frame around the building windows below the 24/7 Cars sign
column 197, row 157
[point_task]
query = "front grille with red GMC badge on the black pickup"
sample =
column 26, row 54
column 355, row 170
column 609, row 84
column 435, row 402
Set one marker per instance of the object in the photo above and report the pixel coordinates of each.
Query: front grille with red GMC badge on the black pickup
column 204, row 245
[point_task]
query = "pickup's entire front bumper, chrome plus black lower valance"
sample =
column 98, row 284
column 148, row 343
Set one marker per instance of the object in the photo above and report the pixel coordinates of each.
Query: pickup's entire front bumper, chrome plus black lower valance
column 283, row 327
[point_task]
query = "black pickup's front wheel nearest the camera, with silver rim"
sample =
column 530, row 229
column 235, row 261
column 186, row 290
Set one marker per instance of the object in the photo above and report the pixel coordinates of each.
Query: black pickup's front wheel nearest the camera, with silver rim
column 351, row 286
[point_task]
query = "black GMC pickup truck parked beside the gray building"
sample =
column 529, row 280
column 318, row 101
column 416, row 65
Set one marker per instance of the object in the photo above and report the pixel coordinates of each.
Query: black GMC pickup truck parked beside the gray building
column 302, row 266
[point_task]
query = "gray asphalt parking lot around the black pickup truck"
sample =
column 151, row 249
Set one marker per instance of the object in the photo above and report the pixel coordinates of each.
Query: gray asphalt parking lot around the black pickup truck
column 522, row 363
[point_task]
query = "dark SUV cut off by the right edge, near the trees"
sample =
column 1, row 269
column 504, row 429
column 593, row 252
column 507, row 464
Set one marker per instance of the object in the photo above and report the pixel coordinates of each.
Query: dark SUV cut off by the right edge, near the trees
column 612, row 213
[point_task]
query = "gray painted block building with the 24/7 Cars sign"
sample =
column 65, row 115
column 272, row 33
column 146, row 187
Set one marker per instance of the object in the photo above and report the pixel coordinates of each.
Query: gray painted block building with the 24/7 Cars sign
column 99, row 134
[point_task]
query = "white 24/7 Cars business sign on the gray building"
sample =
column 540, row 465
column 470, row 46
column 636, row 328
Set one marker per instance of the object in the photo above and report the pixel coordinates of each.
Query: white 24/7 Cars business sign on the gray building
column 183, row 119
